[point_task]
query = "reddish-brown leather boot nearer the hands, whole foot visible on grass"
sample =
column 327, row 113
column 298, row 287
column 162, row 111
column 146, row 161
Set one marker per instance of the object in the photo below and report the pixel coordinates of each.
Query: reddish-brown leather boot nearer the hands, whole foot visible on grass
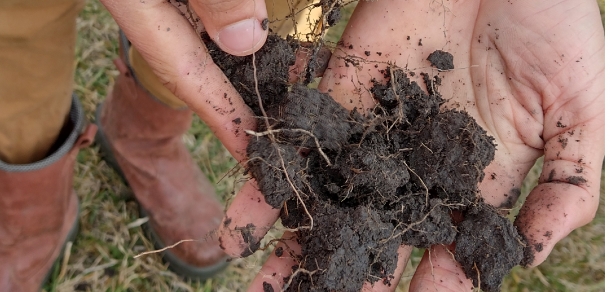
column 142, row 139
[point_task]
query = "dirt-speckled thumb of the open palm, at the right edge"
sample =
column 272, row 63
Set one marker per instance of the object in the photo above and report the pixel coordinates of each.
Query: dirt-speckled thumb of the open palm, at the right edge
column 567, row 196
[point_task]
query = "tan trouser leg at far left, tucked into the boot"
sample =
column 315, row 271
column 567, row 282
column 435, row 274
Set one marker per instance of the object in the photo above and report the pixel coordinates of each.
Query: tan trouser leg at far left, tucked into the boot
column 37, row 39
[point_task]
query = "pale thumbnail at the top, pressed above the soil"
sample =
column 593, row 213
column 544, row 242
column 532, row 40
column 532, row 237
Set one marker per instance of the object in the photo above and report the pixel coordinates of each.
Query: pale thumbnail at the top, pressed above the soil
column 241, row 37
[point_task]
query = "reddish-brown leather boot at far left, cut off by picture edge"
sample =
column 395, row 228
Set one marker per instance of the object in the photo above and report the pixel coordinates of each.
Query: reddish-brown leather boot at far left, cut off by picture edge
column 39, row 209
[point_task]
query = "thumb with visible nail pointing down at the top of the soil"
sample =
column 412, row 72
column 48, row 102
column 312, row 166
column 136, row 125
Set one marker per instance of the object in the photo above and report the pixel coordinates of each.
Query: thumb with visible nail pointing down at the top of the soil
column 238, row 27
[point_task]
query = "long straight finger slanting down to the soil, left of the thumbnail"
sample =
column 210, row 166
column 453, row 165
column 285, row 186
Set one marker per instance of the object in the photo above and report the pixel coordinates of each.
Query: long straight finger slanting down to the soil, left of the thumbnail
column 179, row 58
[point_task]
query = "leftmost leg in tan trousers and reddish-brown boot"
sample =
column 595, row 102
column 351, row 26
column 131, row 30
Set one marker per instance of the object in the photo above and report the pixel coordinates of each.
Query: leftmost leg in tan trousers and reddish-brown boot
column 42, row 127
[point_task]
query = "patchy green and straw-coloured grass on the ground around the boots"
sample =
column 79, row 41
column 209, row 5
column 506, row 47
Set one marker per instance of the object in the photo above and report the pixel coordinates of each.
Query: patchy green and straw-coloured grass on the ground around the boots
column 102, row 258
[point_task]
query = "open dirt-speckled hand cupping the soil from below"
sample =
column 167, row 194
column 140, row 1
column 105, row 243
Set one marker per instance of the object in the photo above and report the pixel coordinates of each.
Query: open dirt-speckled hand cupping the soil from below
column 530, row 72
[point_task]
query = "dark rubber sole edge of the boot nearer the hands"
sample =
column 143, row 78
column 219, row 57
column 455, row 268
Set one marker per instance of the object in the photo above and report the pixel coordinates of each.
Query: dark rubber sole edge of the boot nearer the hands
column 177, row 265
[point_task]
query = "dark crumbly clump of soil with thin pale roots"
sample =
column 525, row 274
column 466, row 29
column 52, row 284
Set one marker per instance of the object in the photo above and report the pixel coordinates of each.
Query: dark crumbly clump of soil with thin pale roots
column 356, row 186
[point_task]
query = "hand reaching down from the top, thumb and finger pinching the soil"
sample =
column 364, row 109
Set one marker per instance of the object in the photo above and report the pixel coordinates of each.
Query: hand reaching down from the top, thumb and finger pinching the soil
column 175, row 52
